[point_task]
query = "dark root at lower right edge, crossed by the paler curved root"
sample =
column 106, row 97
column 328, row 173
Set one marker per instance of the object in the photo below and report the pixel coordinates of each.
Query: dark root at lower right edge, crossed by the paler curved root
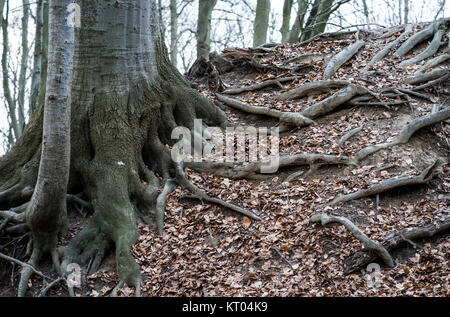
column 362, row 258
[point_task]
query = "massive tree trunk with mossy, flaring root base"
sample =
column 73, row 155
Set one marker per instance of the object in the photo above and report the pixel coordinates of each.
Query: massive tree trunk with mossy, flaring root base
column 126, row 100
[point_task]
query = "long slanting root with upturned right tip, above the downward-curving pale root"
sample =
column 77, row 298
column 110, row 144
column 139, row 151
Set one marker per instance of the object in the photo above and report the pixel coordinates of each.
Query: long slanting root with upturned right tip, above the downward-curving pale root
column 387, row 185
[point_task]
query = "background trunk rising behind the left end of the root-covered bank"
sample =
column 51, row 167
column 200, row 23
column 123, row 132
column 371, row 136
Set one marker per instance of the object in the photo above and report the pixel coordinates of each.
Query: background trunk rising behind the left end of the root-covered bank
column 205, row 9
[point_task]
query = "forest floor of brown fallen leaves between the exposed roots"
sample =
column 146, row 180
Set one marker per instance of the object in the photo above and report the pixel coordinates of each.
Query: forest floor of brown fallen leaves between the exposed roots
column 208, row 251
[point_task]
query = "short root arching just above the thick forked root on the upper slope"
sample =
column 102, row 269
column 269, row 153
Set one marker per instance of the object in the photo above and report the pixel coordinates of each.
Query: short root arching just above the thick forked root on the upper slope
column 313, row 88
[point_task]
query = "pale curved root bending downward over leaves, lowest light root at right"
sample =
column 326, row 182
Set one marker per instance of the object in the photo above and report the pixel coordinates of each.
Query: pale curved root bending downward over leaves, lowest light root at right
column 367, row 242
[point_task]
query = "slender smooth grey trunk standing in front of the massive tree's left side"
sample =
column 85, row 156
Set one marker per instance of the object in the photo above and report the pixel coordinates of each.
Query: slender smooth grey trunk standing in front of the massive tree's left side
column 46, row 212
